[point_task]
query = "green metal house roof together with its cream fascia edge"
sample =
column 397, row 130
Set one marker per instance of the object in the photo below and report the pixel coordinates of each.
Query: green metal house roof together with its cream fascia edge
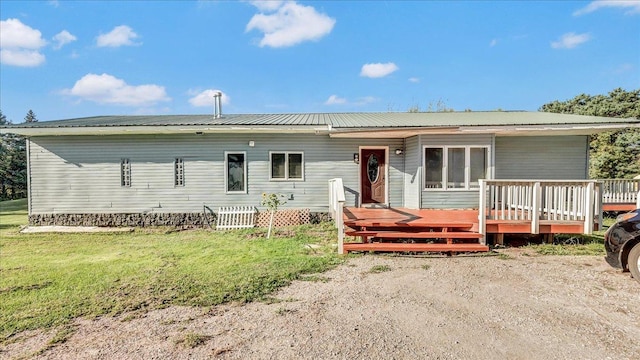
column 325, row 122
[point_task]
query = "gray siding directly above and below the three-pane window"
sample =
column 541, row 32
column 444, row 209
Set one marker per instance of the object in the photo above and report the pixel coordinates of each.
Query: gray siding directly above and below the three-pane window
column 453, row 199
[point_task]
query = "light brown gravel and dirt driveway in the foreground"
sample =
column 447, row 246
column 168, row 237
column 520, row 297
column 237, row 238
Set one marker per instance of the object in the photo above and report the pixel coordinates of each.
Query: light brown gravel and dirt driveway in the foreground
column 521, row 307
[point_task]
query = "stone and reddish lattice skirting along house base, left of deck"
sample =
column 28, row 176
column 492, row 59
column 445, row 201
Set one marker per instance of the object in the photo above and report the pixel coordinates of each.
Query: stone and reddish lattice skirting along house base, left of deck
column 285, row 217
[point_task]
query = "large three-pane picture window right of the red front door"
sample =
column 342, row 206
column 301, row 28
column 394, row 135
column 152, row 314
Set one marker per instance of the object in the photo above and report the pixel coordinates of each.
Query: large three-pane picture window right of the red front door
column 455, row 167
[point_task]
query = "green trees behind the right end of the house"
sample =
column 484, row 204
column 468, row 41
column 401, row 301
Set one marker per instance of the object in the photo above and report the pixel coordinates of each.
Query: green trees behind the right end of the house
column 613, row 154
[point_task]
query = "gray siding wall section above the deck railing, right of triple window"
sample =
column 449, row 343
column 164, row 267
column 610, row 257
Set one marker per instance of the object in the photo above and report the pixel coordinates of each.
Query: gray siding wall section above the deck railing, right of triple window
column 542, row 157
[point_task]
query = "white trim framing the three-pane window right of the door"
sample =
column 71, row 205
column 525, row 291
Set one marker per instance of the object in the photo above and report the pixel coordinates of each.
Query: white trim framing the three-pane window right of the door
column 445, row 165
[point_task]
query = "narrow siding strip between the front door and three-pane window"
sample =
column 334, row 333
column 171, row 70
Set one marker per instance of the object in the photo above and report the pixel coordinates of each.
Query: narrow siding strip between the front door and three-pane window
column 413, row 173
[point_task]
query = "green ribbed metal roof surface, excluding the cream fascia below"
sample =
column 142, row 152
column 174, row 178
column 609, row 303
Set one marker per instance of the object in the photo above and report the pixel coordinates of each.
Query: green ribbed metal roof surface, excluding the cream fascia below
column 335, row 120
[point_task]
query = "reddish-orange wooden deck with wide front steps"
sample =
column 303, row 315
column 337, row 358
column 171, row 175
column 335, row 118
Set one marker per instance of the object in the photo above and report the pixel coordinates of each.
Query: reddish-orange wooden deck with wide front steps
column 427, row 230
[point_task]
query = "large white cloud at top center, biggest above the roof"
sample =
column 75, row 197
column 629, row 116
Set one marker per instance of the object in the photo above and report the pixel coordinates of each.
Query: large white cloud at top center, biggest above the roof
column 289, row 24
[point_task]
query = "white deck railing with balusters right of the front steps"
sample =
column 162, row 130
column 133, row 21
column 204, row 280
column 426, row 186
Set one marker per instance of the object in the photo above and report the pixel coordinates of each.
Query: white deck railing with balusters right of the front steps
column 540, row 200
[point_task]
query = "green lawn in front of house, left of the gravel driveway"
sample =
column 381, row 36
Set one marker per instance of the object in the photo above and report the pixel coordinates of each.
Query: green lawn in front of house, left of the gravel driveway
column 47, row 280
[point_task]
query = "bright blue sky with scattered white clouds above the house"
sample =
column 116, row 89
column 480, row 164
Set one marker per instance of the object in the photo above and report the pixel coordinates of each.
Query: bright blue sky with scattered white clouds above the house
column 67, row 59
